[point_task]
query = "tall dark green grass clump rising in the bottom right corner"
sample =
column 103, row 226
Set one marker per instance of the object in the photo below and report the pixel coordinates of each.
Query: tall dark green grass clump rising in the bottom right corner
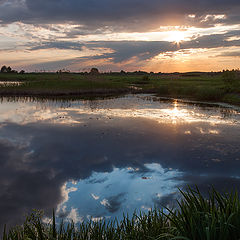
column 214, row 217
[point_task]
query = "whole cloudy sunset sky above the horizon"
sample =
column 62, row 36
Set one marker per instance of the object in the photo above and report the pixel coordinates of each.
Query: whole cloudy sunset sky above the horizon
column 130, row 35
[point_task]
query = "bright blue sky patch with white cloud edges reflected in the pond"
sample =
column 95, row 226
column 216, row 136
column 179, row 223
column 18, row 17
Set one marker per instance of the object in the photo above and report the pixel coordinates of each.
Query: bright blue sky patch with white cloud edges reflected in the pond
column 122, row 190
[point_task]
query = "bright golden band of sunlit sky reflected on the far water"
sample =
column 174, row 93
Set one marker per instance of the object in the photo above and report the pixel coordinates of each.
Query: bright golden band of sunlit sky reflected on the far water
column 81, row 111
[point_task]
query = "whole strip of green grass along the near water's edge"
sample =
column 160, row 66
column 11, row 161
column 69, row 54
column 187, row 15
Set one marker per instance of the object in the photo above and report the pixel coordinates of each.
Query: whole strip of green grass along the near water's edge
column 215, row 217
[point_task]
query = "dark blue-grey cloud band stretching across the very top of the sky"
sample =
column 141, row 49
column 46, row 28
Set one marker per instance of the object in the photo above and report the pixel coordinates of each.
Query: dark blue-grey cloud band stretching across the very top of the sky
column 126, row 15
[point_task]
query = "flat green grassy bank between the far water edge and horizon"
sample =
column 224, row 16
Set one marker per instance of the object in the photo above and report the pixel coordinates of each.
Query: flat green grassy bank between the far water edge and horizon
column 220, row 87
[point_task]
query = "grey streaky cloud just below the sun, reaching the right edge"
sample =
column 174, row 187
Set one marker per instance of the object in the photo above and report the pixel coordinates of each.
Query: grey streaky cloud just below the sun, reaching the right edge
column 121, row 51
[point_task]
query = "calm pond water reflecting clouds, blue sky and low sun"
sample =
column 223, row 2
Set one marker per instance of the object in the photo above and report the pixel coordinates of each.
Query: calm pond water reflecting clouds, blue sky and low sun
column 94, row 159
